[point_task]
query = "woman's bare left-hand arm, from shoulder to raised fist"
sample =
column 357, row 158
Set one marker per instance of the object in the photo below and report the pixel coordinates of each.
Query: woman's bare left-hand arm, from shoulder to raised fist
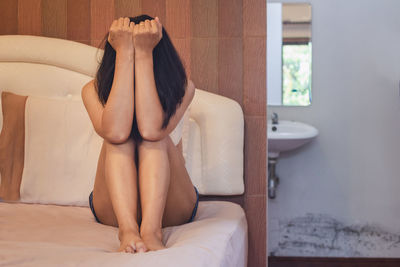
column 114, row 121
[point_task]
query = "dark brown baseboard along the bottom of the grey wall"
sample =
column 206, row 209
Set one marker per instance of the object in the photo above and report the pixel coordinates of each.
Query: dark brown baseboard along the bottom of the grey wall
column 332, row 262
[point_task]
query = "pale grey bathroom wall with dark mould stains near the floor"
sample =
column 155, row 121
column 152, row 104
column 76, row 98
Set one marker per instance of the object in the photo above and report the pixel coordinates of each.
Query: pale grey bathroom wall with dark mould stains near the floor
column 339, row 195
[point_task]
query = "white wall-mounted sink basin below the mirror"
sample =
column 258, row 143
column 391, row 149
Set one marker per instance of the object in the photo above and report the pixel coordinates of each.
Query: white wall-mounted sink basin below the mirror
column 288, row 135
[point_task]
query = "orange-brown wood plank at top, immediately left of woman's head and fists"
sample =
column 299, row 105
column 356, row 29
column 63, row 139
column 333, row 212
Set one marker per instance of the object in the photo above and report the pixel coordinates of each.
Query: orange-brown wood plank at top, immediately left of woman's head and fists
column 101, row 17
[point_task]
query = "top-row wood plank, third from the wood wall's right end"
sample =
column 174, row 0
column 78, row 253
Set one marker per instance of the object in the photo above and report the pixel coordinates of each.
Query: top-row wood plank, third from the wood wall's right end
column 204, row 18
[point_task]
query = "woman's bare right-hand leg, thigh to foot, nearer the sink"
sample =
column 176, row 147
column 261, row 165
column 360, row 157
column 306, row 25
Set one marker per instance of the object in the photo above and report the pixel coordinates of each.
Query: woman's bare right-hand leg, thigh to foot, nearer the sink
column 166, row 191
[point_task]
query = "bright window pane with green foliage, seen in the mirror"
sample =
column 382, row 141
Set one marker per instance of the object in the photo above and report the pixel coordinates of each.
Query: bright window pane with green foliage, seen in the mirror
column 296, row 71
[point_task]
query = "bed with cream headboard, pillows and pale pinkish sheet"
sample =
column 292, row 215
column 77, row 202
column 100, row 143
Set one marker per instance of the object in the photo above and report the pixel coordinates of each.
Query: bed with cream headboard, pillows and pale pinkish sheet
column 44, row 214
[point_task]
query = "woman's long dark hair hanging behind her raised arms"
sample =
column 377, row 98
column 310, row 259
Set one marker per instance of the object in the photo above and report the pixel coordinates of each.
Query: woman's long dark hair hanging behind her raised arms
column 169, row 75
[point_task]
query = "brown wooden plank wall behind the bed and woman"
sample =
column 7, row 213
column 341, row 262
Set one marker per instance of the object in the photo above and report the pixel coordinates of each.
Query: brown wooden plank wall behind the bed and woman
column 223, row 46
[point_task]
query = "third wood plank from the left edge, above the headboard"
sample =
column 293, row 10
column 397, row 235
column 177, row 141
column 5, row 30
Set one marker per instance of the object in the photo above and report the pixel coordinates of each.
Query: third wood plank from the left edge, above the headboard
column 54, row 18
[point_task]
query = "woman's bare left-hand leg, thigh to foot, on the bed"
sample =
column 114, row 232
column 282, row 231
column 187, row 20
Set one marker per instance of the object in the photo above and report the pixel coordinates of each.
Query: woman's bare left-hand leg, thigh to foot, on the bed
column 115, row 193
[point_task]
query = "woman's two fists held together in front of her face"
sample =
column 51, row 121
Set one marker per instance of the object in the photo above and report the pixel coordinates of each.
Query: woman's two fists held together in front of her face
column 125, row 35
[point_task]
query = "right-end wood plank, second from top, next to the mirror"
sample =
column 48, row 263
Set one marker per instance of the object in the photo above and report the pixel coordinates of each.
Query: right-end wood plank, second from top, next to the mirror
column 254, row 76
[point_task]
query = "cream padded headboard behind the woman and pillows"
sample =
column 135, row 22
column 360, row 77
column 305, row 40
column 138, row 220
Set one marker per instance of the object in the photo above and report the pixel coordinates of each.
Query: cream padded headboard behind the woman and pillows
column 43, row 66
